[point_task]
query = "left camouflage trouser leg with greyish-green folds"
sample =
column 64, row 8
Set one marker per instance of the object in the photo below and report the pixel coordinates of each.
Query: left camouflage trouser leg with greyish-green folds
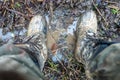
column 15, row 59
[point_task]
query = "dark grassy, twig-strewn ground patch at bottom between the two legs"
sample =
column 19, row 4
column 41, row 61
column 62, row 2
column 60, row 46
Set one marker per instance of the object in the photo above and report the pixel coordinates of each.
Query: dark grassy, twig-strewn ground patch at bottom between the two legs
column 74, row 69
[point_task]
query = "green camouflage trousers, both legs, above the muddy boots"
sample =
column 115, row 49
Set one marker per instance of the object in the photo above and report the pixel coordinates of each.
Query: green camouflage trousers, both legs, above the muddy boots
column 105, row 66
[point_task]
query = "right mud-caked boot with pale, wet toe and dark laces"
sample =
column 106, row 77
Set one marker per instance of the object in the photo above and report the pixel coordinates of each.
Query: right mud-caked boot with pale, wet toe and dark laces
column 86, row 28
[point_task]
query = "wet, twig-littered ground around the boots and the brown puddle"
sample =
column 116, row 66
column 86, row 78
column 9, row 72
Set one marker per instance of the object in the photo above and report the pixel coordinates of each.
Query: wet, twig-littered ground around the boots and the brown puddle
column 15, row 16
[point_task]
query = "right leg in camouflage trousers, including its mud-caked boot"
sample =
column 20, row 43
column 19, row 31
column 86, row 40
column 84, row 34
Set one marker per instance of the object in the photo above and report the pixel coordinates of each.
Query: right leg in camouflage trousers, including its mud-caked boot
column 103, row 65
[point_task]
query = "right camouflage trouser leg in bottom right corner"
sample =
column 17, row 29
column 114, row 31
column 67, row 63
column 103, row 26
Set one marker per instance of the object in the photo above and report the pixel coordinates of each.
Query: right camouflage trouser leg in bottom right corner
column 106, row 65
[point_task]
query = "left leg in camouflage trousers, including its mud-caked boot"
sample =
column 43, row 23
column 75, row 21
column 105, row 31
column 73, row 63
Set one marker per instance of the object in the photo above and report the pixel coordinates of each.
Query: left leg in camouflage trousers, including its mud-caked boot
column 26, row 59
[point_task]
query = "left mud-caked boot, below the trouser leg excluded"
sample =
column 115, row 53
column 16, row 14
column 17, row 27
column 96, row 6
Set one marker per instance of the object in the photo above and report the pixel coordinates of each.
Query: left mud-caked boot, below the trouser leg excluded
column 37, row 39
